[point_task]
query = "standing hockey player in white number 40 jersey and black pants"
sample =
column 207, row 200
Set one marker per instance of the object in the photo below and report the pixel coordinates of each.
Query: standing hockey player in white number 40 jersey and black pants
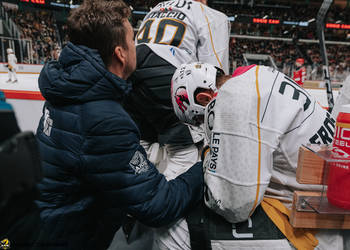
column 172, row 33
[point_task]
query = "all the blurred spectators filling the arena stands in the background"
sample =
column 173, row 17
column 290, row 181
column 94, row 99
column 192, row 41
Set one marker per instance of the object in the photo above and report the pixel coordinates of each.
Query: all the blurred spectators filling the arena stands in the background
column 48, row 37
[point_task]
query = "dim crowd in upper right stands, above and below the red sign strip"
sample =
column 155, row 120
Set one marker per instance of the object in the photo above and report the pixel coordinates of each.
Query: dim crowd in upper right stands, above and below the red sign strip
column 292, row 13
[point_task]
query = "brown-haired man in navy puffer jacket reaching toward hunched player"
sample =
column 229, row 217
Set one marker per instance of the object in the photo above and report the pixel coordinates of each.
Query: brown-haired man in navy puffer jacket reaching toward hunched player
column 95, row 171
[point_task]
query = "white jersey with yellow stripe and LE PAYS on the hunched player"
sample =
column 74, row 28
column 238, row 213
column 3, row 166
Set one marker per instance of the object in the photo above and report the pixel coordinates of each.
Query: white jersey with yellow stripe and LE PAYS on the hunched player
column 255, row 127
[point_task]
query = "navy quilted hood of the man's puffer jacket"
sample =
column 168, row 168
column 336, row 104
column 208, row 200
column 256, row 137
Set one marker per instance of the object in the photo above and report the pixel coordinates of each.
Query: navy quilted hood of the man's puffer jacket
column 80, row 76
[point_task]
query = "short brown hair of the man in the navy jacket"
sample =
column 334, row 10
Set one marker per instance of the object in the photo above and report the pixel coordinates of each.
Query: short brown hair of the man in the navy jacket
column 99, row 24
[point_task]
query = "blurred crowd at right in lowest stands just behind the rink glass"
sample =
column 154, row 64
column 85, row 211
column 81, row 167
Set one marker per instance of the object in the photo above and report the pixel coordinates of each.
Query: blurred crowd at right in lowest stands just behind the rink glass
column 285, row 54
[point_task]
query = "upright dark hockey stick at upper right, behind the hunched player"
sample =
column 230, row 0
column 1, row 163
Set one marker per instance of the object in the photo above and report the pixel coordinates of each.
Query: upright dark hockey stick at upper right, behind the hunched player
column 320, row 22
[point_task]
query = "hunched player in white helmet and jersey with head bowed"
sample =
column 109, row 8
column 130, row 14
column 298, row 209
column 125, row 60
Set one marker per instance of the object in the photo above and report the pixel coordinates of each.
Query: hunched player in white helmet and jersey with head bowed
column 255, row 121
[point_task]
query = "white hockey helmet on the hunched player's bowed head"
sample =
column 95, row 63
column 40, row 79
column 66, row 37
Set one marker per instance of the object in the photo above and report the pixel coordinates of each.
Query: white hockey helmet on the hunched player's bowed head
column 186, row 81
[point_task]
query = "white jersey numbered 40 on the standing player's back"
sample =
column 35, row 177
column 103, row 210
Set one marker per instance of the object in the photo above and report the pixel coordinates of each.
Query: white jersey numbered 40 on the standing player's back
column 192, row 31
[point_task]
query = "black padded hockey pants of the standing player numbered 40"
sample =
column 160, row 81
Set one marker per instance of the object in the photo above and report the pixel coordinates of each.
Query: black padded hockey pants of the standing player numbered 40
column 149, row 103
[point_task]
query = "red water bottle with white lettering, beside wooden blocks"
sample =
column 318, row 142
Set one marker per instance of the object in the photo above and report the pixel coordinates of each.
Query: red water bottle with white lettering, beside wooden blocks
column 338, row 192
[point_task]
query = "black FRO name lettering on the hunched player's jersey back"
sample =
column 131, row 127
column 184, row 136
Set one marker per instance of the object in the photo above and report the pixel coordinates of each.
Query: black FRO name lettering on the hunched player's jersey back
column 325, row 133
